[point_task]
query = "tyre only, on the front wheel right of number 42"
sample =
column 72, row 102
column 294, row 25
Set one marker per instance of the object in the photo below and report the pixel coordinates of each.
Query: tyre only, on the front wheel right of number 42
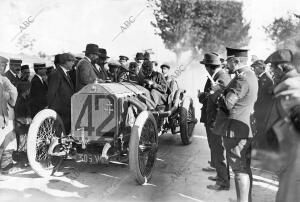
column 134, row 145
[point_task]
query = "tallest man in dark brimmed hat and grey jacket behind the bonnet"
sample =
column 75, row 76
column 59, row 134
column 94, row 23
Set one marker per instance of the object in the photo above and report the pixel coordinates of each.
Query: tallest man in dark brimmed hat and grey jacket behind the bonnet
column 86, row 72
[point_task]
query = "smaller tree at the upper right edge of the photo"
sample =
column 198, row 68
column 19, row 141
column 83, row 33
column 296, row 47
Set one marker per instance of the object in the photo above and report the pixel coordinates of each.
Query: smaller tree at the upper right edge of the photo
column 284, row 31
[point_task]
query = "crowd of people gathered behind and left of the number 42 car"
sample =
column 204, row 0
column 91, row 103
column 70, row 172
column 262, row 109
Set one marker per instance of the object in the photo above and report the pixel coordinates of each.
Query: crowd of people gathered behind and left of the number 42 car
column 22, row 98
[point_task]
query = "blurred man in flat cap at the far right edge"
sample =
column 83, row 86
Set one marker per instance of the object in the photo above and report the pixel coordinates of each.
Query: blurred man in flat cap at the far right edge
column 280, row 143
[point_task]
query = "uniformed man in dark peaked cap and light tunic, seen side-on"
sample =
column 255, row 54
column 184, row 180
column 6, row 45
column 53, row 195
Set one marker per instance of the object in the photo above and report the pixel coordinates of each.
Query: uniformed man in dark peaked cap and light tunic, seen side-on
column 237, row 103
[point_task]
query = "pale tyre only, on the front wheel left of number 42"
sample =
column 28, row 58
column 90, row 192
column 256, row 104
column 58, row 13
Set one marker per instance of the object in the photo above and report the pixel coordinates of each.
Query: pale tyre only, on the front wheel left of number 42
column 32, row 136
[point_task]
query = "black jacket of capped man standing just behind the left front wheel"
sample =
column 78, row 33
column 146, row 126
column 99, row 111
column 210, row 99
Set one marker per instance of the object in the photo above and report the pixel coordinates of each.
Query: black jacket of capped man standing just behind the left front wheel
column 37, row 95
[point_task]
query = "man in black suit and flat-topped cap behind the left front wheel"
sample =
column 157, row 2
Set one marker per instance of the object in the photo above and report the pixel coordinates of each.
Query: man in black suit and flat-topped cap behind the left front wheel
column 38, row 90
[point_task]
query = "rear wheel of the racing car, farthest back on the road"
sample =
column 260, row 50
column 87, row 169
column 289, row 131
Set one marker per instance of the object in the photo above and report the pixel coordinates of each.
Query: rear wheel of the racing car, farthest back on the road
column 187, row 121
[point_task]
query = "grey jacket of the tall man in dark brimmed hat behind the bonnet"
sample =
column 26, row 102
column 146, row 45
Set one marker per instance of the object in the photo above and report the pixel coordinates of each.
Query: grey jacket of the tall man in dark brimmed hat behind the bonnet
column 86, row 73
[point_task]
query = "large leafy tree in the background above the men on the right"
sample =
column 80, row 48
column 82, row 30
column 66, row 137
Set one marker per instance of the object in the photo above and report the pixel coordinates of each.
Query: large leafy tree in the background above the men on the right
column 200, row 25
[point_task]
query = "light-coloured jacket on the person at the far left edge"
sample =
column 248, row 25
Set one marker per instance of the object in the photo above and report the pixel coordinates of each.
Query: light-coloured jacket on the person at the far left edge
column 8, row 96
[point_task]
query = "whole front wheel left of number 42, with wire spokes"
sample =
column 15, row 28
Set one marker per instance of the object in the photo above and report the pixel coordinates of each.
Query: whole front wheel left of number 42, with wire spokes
column 45, row 126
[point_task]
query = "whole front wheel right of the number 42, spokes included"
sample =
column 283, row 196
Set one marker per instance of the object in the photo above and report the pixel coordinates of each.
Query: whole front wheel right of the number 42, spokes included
column 143, row 147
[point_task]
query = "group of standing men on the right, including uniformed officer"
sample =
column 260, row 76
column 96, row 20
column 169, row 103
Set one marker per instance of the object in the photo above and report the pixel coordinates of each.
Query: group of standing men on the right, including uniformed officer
column 252, row 110
